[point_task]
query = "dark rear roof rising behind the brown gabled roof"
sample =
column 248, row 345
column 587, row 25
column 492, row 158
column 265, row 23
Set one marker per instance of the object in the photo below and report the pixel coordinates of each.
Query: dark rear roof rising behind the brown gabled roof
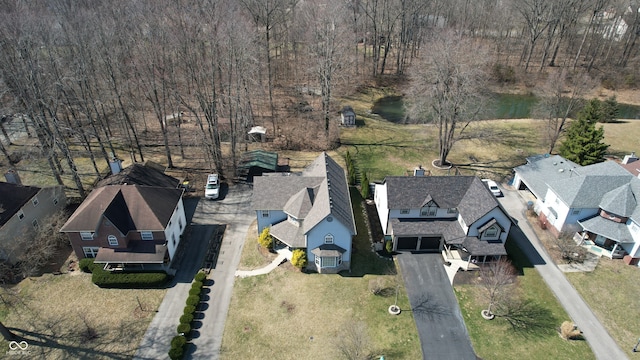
column 138, row 174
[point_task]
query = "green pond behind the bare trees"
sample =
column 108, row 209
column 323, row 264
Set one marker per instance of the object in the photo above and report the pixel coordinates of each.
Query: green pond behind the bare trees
column 502, row 106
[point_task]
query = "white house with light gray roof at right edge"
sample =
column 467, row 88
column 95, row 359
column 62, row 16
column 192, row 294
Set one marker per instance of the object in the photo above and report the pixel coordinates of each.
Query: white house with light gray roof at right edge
column 598, row 202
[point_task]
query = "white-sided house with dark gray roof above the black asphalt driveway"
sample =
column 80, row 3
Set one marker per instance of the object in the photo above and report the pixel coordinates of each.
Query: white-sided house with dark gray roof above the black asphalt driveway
column 455, row 215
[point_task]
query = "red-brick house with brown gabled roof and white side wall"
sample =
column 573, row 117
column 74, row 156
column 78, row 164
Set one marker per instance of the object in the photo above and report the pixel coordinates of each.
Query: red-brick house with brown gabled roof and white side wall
column 128, row 227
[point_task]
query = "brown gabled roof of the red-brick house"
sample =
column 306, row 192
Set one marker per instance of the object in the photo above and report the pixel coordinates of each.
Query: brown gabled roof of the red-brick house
column 128, row 207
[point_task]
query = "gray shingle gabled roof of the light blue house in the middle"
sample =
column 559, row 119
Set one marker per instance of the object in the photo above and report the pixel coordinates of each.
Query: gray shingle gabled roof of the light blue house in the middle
column 330, row 195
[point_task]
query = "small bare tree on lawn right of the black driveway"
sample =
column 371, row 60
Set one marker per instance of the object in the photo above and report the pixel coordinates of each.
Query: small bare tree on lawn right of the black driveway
column 496, row 280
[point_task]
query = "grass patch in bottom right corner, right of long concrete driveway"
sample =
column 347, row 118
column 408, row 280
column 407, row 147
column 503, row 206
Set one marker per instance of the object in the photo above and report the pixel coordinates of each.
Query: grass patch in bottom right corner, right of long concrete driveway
column 612, row 293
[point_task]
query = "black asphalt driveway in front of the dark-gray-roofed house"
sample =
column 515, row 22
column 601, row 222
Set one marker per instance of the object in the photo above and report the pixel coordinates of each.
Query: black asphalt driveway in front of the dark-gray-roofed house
column 441, row 328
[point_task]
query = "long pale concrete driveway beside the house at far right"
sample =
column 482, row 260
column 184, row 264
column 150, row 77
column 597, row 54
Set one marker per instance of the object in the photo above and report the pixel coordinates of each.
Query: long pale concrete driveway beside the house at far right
column 601, row 343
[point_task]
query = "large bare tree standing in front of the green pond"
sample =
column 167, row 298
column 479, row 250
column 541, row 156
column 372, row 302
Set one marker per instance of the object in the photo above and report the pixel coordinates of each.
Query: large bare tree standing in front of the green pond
column 447, row 88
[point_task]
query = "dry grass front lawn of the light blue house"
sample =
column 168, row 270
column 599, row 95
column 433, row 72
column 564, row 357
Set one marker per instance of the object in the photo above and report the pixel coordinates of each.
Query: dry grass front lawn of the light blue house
column 288, row 314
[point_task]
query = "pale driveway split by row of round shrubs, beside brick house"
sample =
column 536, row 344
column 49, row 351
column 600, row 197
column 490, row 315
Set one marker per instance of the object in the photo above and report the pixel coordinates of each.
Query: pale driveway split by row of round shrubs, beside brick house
column 232, row 213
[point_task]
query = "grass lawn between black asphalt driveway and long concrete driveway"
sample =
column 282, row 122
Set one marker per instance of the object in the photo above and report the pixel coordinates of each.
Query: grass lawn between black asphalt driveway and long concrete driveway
column 538, row 339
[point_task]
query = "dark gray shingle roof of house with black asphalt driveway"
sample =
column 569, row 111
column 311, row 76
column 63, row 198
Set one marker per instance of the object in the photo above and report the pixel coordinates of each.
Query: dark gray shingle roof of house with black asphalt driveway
column 466, row 193
